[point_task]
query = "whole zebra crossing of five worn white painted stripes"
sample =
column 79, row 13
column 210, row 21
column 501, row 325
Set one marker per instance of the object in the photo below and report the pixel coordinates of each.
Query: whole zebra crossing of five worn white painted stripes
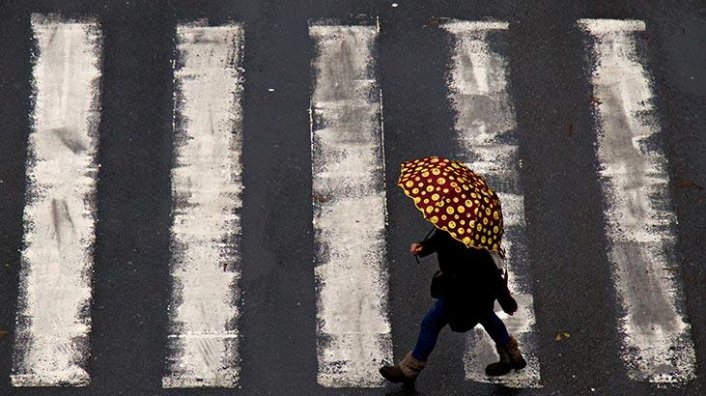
column 353, row 305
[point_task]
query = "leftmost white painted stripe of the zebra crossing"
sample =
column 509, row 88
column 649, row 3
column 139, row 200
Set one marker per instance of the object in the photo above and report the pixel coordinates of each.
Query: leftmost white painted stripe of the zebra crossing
column 53, row 323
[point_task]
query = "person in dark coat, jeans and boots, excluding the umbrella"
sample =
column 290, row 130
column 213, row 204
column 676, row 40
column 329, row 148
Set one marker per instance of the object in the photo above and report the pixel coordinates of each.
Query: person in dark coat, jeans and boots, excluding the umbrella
column 466, row 288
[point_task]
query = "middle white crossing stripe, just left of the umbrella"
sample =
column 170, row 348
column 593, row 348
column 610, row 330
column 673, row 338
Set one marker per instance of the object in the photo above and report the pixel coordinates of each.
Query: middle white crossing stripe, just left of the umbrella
column 349, row 208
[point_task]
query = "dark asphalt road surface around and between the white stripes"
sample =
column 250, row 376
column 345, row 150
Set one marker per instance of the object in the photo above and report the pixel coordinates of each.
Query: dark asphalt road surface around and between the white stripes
column 551, row 92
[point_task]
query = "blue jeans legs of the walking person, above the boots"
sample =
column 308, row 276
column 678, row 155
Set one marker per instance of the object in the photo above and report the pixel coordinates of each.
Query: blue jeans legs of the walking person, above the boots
column 438, row 317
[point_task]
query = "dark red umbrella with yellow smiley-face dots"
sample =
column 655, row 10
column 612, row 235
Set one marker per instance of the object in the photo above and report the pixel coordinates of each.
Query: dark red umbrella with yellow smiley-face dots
column 454, row 199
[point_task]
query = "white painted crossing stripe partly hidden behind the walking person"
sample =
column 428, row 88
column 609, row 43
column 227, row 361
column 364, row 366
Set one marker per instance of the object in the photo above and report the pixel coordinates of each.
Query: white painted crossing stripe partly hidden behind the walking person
column 487, row 135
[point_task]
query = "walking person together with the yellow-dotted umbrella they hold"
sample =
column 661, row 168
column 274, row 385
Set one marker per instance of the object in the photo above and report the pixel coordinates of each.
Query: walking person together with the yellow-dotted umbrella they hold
column 468, row 226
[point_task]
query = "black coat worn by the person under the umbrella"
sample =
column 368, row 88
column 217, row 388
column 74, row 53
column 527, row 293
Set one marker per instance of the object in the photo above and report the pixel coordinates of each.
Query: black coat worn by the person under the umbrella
column 475, row 280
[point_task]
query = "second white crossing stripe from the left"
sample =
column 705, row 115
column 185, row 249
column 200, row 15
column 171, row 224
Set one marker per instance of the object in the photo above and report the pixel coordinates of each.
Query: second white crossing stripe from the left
column 207, row 187
